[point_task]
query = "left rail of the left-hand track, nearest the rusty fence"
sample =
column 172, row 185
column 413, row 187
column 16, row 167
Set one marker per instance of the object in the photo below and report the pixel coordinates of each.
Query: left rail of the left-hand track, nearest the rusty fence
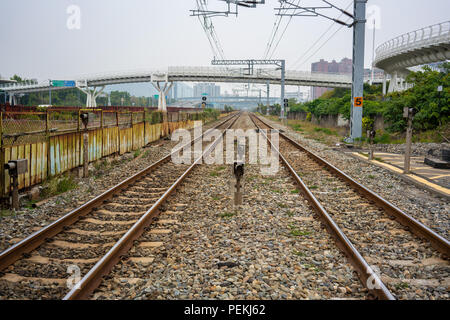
column 15, row 252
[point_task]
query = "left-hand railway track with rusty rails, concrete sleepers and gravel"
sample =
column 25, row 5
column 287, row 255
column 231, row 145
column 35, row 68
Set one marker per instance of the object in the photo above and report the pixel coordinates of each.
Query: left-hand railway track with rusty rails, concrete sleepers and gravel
column 92, row 238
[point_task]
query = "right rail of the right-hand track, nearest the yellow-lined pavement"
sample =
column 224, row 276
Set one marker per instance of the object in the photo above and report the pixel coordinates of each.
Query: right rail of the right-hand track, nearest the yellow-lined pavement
column 419, row 229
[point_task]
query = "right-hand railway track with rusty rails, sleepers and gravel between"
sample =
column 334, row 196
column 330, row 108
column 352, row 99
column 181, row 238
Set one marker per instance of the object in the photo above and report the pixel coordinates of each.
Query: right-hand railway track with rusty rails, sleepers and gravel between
column 379, row 238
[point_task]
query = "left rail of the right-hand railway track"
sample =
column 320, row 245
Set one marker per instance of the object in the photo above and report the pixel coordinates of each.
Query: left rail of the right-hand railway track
column 363, row 269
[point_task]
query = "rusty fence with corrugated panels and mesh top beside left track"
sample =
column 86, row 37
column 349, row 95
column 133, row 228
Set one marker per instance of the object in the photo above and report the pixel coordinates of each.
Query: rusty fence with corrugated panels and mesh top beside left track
column 52, row 141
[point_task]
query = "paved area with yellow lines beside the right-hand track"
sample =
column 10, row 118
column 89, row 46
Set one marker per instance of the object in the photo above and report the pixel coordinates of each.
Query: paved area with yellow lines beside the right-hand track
column 437, row 180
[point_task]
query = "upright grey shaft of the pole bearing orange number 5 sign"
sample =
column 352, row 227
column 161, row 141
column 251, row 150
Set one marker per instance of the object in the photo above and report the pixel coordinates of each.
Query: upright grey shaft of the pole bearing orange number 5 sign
column 358, row 68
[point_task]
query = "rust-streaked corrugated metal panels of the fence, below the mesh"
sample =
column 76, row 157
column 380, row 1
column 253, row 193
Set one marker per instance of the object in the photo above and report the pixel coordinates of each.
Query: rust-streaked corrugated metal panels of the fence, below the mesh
column 62, row 152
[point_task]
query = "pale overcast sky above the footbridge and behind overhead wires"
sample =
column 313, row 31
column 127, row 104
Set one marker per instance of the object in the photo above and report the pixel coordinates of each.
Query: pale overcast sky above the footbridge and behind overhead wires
column 124, row 35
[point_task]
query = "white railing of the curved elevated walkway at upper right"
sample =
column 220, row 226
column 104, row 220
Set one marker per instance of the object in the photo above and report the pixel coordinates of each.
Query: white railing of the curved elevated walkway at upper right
column 416, row 39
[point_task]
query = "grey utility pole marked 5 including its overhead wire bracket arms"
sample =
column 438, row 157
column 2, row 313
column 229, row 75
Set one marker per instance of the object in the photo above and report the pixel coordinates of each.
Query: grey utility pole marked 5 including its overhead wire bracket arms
column 358, row 24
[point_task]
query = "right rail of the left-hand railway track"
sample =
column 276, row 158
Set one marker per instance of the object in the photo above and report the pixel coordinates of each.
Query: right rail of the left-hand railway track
column 93, row 278
